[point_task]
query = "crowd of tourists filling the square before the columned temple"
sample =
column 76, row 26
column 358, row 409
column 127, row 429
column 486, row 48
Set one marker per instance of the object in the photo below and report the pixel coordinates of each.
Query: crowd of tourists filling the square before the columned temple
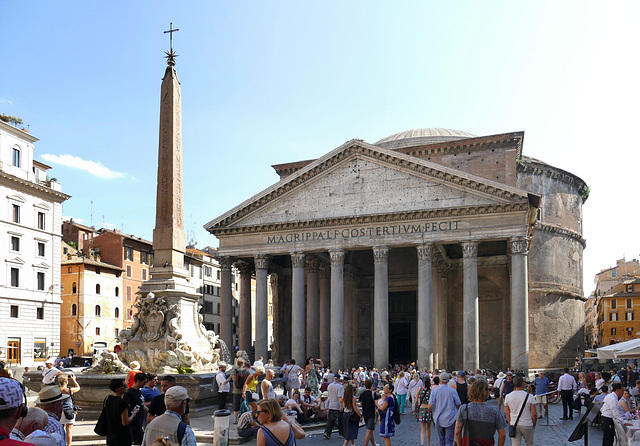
column 139, row 412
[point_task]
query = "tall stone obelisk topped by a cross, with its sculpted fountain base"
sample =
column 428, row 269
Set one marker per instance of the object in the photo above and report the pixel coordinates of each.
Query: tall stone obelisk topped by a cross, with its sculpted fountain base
column 168, row 319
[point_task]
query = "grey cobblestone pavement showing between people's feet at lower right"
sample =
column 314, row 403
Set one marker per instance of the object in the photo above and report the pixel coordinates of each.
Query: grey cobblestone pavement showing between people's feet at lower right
column 408, row 432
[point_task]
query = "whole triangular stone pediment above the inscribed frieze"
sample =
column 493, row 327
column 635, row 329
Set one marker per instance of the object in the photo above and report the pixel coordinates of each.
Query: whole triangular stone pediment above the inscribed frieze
column 358, row 179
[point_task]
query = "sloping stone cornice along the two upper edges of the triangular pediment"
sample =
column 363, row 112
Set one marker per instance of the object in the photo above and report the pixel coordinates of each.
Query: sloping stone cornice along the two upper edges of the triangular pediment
column 425, row 168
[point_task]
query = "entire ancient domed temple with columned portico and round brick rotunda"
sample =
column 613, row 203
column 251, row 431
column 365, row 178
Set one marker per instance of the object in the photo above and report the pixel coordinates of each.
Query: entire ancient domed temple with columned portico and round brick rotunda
column 430, row 245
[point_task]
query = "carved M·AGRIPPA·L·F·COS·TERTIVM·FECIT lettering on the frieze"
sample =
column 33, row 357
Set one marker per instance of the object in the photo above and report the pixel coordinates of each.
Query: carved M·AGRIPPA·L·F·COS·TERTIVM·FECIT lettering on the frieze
column 374, row 231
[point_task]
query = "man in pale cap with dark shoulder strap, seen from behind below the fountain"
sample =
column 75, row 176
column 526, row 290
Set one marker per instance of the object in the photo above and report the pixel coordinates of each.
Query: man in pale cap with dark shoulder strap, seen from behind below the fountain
column 170, row 423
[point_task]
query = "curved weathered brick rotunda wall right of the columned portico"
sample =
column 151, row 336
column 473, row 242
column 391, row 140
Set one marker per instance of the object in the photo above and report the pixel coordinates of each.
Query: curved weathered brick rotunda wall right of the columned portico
column 556, row 311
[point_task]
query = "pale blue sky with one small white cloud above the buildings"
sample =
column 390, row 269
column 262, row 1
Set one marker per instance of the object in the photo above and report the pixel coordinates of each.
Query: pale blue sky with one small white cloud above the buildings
column 271, row 82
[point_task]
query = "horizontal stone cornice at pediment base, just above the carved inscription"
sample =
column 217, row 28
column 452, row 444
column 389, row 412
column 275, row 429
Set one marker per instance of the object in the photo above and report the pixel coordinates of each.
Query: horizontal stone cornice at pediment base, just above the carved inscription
column 377, row 218
